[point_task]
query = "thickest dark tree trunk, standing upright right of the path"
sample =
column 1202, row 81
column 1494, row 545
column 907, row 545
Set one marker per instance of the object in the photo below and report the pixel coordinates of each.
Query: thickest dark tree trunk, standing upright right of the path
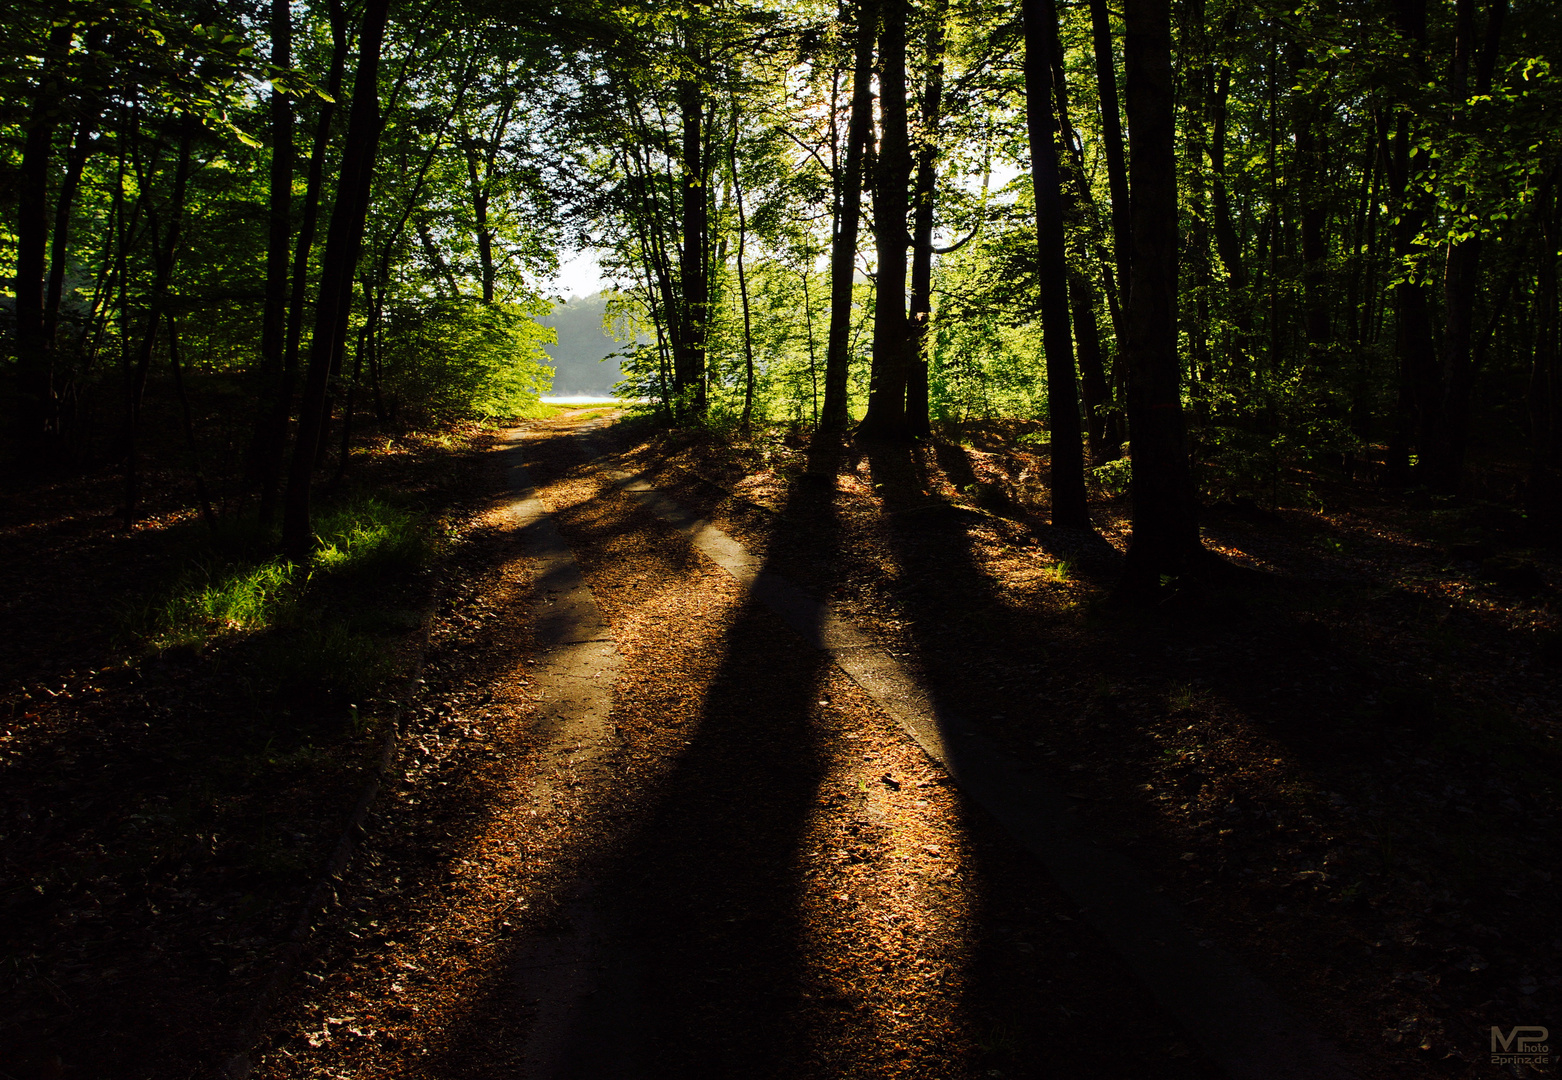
column 1166, row 512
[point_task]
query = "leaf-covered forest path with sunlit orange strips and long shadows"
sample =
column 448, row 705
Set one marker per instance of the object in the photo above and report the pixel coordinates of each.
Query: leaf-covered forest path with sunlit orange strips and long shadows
column 736, row 862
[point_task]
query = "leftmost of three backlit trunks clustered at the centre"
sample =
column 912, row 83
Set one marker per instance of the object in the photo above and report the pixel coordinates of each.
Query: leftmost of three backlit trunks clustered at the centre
column 844, row 251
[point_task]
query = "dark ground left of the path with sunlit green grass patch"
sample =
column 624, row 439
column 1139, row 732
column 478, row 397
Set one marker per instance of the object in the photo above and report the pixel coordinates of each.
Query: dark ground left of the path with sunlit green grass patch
column 187, row 721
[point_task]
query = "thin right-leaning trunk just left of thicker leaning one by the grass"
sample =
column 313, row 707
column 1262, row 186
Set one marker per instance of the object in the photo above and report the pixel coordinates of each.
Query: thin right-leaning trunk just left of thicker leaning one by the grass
column 271, row 438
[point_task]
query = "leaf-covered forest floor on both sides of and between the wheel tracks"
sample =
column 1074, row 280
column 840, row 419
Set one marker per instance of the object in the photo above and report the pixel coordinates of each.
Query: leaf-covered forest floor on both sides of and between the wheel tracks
column 1344, row 773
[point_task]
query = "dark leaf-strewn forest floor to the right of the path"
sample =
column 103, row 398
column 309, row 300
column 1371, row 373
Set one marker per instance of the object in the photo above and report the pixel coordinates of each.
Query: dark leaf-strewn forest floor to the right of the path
column 1343, row 764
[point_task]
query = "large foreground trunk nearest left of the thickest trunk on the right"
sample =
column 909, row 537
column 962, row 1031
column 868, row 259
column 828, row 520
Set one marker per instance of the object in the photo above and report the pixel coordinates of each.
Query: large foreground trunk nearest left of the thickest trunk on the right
column 1052, row 268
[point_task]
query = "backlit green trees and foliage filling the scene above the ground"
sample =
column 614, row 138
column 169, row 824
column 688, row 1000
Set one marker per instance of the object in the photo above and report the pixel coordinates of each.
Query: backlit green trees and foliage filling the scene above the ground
column 1219, row 238
